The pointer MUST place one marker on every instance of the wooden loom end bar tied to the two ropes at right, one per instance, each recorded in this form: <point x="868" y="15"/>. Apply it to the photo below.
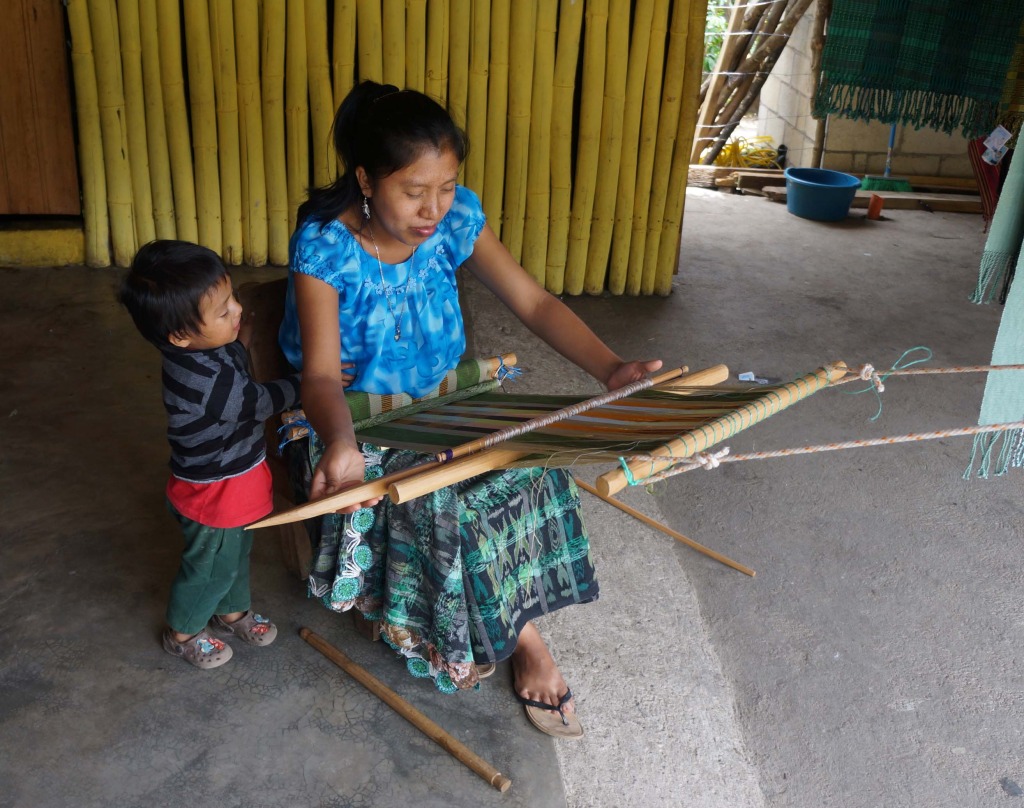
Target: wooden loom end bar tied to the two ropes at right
<point x="717" y="431"/>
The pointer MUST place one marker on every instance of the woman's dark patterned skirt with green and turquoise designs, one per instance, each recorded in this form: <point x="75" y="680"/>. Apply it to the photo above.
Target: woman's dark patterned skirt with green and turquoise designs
<point x="453" y="576"/>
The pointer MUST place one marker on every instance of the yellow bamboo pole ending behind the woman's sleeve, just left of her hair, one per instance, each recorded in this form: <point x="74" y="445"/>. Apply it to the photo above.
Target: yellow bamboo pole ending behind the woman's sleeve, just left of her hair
<point x="296" y="109"/>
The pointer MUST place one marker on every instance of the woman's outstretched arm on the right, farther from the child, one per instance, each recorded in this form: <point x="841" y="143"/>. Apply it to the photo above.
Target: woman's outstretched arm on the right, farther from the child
<point x="548" y="318"/>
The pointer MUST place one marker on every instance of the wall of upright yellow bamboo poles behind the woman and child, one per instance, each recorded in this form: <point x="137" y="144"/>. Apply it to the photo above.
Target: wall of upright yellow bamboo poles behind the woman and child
<point x="209" y="119"/>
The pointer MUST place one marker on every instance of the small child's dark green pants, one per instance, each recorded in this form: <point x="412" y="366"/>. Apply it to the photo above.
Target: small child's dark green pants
<point x="214" y="578"/>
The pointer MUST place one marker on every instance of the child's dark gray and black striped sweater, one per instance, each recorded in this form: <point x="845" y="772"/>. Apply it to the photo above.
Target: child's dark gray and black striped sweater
<point x="216" y="412"/>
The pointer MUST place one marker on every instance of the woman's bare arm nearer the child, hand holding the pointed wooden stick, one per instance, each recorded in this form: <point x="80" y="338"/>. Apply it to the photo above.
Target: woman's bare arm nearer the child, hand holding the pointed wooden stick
<point x="324" y="391"/>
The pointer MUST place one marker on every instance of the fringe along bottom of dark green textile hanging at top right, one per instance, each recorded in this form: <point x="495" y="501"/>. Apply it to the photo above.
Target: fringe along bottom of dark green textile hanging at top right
<point x="910" y="108"/>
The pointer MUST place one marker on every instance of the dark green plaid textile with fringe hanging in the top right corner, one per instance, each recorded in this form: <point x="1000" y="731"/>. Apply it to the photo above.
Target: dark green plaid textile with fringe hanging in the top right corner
<point x="938" y="64"/>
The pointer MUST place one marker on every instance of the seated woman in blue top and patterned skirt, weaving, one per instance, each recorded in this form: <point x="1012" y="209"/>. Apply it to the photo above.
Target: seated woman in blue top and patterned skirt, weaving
<point x="456" y="578"/>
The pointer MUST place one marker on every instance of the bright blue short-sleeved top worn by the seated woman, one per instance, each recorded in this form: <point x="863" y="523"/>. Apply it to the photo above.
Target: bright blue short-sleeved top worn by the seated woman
<point x="421" y="293"/>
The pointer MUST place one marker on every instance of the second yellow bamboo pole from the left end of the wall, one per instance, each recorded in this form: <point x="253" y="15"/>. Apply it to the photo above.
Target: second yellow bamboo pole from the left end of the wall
<point x="103" y="21"/>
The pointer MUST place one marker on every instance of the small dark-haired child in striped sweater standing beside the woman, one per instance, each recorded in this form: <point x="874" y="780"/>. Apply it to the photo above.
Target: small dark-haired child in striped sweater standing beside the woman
<point x="182" y="301"/>
